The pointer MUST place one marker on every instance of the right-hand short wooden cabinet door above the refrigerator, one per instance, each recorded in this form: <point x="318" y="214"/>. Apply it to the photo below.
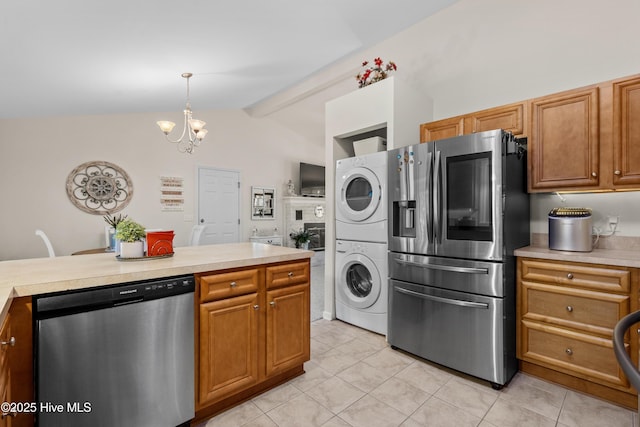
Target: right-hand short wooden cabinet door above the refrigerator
<point x="508" y="117"/>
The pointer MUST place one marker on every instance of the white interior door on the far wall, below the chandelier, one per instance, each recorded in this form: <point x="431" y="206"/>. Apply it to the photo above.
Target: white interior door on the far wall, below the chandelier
<point x="219" y="205"/>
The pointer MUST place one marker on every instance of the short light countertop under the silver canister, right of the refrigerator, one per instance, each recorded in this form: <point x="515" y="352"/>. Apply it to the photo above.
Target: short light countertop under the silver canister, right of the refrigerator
<point x="622" y="258"/>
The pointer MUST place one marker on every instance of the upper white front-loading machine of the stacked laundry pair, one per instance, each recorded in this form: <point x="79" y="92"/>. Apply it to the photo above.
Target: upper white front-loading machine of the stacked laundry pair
<point x="361" y="198"/>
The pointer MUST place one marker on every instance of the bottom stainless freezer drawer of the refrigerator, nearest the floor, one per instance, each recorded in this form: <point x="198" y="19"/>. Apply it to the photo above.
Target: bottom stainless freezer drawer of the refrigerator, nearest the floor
<point x="462" y="331"/>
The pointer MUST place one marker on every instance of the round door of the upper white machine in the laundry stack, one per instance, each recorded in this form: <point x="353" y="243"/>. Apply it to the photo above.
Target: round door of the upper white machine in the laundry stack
<point x="360" y="195"/>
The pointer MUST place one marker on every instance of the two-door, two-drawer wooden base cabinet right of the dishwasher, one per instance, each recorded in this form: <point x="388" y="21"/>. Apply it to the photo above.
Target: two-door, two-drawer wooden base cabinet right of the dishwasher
<point x="253" y="331"/>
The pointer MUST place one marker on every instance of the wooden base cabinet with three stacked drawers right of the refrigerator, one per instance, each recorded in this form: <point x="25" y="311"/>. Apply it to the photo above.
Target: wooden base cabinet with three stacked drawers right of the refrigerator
<point x="566" y="315"/>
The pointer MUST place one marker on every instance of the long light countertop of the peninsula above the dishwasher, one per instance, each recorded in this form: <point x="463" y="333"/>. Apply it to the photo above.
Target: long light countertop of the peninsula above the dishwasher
<point x="43" y="275"/>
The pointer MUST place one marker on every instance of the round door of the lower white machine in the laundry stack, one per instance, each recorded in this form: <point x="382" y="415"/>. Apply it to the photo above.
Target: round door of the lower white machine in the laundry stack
<point x="360" y="283"/>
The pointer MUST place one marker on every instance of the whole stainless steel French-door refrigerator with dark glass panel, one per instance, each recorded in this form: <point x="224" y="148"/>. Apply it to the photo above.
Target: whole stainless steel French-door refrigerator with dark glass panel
<point x="457" y="209"/>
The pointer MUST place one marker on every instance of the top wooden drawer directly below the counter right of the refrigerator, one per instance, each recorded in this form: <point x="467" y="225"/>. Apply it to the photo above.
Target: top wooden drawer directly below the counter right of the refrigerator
<point x="608" y="279"/>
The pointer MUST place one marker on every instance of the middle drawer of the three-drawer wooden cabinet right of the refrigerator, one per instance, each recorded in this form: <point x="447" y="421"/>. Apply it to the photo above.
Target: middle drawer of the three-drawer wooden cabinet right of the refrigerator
<point x="593" y="312"/>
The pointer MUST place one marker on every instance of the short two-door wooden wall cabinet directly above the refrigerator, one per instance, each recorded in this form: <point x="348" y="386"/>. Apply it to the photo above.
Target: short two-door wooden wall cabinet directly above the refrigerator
<point x="508" y="117"/>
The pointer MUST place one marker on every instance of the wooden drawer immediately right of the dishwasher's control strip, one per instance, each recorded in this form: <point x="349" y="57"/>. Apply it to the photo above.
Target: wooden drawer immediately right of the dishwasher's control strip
<point x="225" y="285"/>
